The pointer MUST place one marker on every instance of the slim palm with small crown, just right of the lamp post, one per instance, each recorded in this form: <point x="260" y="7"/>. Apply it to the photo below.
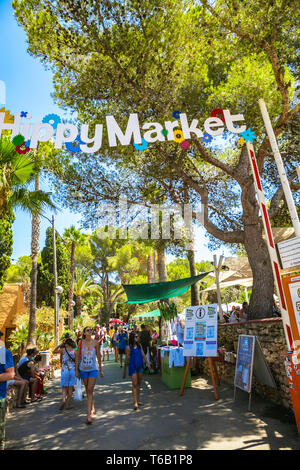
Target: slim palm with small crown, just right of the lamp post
<point x="72" y="237"/>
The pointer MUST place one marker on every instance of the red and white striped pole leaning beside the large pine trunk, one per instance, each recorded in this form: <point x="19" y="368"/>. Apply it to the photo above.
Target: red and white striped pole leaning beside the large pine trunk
<point x="271" y="248"/>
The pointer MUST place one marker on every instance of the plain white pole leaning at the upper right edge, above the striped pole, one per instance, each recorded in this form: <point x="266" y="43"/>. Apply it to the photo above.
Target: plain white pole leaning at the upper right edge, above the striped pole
<point x="282" y="174"/>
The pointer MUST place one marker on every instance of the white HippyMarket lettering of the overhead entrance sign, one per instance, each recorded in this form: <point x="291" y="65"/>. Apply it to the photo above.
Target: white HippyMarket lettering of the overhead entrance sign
<point x="67" y="132"/>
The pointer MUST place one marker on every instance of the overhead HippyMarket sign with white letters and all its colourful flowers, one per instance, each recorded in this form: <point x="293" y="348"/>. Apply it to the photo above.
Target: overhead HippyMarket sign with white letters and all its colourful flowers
<point x="136" y="134"/>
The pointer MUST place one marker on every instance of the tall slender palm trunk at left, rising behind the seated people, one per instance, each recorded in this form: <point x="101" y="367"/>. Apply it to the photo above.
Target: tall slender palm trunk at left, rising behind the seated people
<point x="35" y="236"/>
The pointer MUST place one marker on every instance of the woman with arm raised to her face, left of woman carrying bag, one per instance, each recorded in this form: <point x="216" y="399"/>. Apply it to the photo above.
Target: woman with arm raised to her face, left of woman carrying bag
<point x="68" y="377"/>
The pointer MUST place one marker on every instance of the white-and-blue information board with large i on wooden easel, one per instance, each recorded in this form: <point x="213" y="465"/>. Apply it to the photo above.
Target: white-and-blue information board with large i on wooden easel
<point x="201" y="331"/>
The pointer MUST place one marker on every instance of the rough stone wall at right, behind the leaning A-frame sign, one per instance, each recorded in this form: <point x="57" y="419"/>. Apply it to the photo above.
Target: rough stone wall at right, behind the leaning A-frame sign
<point x="272" y="340"/>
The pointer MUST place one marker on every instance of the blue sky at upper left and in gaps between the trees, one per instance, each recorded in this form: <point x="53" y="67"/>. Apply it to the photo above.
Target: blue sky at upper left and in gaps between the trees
<point x="28" y="88"/>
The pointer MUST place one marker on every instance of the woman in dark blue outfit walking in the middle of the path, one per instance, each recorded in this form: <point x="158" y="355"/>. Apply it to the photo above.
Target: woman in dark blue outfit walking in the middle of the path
<point x="135" y="358"/>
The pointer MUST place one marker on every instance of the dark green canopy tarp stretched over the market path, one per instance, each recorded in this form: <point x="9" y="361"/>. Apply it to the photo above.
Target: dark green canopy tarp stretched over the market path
<point x="142" y="293"/>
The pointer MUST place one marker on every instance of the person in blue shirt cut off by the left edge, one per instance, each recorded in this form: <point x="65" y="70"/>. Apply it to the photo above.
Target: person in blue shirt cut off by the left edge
<point x="7" y="372"/>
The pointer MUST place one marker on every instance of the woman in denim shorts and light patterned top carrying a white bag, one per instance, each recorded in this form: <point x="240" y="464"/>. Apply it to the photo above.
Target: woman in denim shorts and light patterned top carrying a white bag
<point x="87" y="369"/>
